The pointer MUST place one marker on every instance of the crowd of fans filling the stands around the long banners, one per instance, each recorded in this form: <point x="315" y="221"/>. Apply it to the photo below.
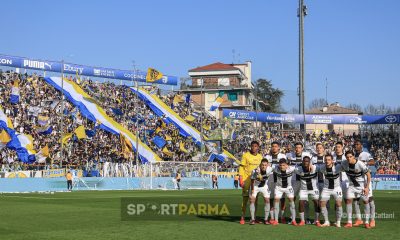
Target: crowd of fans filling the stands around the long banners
<point x="38" y="99"/>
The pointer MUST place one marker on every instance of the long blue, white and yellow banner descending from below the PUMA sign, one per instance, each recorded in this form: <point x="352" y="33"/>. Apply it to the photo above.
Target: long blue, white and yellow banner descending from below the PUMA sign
<point x="89" y="109"/>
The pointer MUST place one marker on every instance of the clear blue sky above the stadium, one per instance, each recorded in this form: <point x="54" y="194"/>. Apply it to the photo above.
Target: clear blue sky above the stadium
<point x="353" y="44"/>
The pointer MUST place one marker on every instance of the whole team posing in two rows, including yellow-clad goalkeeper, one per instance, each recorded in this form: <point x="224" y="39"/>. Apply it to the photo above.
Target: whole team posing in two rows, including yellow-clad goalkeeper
<point x="300" y="174"/>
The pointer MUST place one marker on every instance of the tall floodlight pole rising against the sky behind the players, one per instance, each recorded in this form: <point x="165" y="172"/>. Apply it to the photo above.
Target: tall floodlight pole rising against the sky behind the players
<point x="301" y="12"/>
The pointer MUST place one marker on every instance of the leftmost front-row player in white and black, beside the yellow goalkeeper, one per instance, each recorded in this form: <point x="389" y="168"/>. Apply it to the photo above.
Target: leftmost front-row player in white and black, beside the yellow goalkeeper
<point x="259" y="179"/>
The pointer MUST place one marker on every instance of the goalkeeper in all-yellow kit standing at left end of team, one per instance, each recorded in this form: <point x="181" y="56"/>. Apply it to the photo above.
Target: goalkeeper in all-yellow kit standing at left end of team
<point x="250" y="161"/>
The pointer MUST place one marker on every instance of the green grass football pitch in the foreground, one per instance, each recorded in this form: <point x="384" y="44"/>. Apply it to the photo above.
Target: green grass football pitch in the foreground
<point x="97" y="215"/>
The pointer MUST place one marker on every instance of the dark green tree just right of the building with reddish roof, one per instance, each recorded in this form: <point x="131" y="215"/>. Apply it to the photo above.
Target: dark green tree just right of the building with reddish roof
<point x="267" y="97"/>
